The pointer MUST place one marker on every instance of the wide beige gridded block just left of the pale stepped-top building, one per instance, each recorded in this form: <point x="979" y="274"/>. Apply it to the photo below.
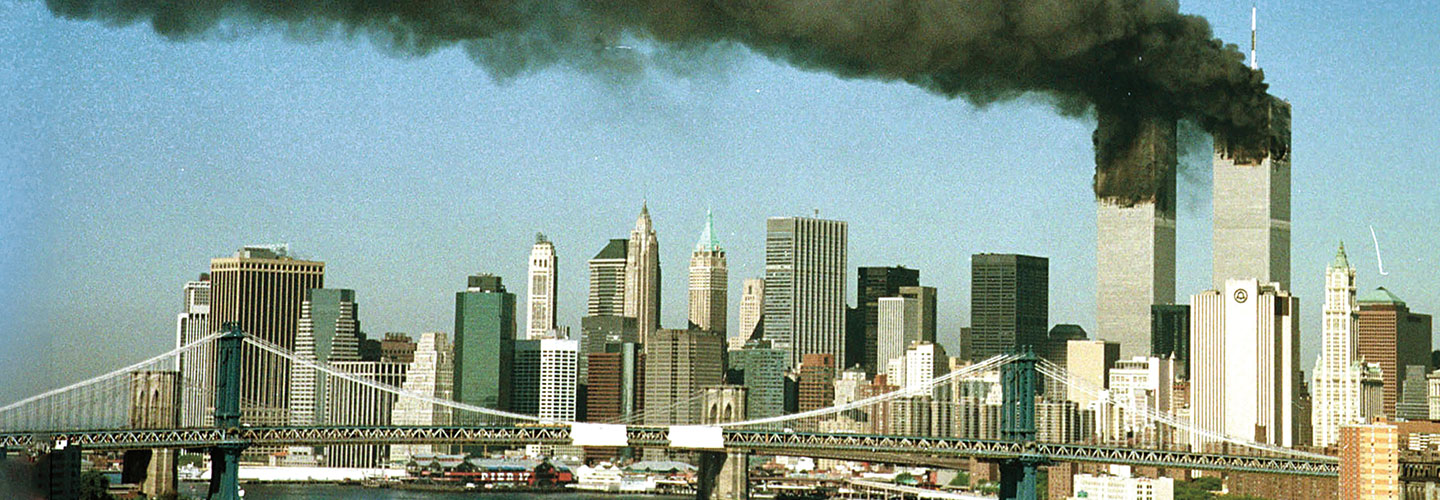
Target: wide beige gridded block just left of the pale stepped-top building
<point x="354" y="404"/>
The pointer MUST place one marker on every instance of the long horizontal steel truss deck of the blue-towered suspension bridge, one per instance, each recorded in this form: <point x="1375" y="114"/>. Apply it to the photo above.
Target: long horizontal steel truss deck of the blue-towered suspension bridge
<point x="860" y="447"/>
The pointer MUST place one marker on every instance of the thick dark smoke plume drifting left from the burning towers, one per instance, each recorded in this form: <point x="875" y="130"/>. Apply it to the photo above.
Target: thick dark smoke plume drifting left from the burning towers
<point x="1127" y="58"/>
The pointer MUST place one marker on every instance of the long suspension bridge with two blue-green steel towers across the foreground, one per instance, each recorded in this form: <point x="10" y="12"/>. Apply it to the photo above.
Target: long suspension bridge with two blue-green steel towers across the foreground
<point x="994" y="410"/>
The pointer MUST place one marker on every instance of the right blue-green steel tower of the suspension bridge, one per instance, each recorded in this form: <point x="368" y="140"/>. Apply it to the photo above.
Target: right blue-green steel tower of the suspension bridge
<point x="1020" y="478"/>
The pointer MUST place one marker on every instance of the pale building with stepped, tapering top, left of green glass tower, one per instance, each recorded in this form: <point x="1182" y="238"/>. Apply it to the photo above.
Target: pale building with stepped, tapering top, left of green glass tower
<point x="431" y="375"/>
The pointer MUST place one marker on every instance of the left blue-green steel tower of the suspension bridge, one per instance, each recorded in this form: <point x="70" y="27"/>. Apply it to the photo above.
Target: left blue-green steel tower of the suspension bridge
<point x="225" y="482"/>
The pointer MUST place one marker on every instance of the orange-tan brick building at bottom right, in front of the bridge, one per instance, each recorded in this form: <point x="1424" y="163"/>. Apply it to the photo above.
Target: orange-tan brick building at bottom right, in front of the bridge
<point x="1370" y="462"/>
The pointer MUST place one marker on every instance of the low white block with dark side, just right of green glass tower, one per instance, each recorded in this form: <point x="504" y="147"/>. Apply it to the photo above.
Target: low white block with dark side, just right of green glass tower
<point x="544" y="381"/>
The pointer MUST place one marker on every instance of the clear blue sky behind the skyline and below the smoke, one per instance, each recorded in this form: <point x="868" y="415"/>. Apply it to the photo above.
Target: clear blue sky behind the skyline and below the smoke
<point x="127" y="162"/>
